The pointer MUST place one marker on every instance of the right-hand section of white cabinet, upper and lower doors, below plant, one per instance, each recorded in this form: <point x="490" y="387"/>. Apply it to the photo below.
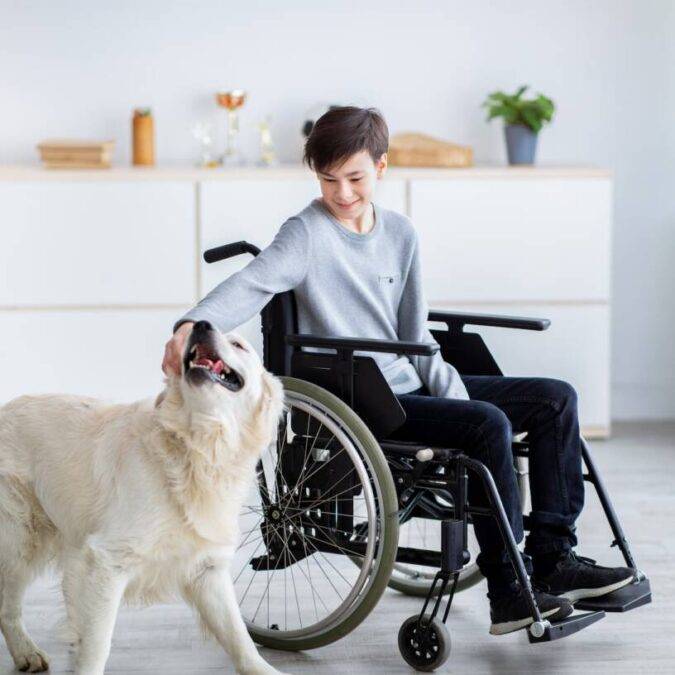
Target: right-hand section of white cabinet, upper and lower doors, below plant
<point x="527" y="246"/>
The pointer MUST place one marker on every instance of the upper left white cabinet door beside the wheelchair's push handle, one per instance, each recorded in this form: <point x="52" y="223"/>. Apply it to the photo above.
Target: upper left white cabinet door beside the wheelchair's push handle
<point x="97" y="243"/>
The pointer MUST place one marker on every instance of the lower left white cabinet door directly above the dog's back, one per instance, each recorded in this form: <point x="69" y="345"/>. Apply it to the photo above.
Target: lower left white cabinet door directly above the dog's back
<point x="115" y="355"/>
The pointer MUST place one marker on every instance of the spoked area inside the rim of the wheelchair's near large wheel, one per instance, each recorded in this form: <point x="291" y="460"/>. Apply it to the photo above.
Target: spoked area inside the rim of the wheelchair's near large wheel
<point x="301" y="534"/>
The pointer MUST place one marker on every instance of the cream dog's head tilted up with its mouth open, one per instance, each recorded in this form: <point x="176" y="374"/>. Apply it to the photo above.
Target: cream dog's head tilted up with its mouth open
<point x="223" y="380"/>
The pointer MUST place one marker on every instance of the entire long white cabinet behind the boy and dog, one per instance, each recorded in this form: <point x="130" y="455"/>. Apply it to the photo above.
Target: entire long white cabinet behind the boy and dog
<point x="95" y="267"/>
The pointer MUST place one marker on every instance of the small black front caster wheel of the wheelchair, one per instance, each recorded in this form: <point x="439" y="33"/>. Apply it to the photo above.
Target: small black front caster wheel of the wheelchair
<point x="424" y="645"/>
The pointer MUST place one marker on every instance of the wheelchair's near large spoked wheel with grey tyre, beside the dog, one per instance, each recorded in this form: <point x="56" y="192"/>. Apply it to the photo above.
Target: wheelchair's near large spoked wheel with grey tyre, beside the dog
<point x="324" y="498"/>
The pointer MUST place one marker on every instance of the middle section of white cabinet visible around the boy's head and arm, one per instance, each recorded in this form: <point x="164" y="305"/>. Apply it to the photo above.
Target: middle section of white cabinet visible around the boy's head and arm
<point x="254" y="210"/>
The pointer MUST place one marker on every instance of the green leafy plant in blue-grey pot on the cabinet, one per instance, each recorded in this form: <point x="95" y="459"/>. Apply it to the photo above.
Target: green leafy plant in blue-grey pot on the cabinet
<point x="523" y="119"/>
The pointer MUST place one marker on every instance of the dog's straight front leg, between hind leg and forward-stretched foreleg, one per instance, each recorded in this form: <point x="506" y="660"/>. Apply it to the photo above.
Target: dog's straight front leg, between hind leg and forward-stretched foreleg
<point x="100" y="592"/>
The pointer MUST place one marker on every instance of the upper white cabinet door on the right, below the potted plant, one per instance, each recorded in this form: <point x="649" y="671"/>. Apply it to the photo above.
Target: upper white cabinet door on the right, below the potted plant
<point x="515" y="239"/>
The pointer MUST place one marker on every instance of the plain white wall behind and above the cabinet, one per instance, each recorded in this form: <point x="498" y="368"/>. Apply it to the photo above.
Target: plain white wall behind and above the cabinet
<point x="78" y="68"/>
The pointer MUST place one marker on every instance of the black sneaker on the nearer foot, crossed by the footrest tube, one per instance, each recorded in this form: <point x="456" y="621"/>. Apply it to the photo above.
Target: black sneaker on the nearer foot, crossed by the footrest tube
<point x="512" y="612"/>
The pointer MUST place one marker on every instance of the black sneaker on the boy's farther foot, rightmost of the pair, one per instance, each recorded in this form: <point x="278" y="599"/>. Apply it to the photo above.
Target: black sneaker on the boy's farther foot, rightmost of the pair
<point x="575" y="578"/>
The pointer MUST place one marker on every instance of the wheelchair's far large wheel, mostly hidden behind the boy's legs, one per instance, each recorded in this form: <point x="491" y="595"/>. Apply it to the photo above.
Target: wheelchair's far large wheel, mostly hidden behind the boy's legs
<point x="425" y="533"/>
